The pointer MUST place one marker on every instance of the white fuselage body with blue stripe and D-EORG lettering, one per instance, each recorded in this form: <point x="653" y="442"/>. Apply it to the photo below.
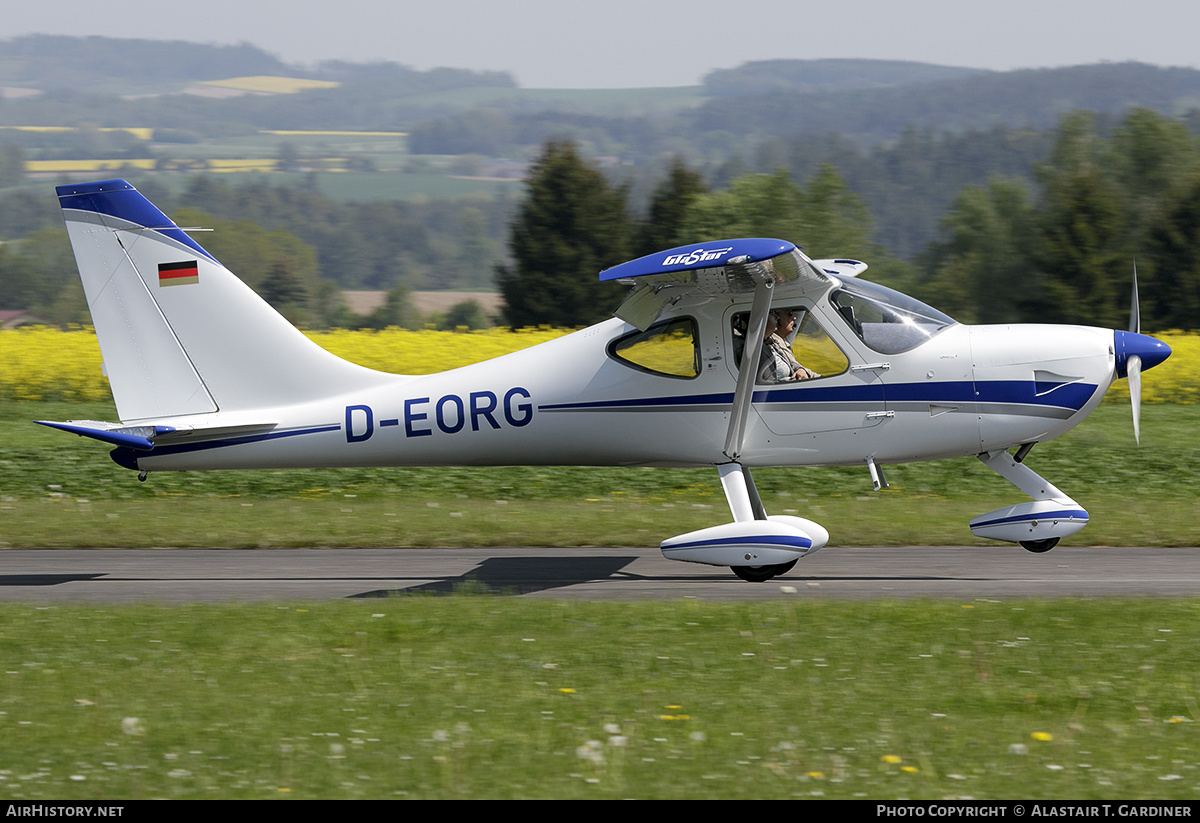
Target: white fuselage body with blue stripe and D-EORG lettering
<point x="967" y="391"/>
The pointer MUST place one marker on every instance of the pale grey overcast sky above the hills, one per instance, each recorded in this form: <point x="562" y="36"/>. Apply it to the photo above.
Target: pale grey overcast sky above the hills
<point x="625" y="44"/>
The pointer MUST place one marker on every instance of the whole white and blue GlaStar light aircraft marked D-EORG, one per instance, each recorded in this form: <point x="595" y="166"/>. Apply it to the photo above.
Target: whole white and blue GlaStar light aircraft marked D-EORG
<point x="734" y="355"/>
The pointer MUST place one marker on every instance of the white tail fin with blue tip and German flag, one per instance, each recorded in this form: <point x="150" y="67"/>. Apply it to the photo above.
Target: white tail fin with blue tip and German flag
<point x="178" y="332"/>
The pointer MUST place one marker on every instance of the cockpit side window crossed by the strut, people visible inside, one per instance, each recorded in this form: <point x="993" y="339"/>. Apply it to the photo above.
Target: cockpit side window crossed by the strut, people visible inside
<point x="802" y="351"/>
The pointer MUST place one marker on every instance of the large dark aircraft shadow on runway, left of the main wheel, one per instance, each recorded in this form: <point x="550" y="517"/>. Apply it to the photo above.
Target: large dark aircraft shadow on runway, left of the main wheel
<point x="518" y="575"/>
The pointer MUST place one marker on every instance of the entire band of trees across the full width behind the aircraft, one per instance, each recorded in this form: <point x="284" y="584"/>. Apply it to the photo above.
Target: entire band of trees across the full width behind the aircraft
<point x="1059" y="245"/>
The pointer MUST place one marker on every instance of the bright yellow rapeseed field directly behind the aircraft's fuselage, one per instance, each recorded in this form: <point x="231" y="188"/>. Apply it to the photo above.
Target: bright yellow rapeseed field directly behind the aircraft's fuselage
<point x="39" y="363"/>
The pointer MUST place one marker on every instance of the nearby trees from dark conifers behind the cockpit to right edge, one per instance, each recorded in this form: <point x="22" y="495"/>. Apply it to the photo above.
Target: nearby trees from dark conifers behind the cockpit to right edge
<point x="1060" y="248"/>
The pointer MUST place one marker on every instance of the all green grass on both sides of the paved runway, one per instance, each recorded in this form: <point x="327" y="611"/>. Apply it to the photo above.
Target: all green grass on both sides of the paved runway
<point x="481" y="696"/>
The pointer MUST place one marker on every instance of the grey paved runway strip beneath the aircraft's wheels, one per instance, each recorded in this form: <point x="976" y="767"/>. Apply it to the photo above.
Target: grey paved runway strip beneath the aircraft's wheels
<point x="179" y="576"/>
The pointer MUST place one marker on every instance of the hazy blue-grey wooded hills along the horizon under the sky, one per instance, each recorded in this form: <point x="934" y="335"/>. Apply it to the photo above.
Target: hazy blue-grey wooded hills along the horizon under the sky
<point x="454" y="111"/>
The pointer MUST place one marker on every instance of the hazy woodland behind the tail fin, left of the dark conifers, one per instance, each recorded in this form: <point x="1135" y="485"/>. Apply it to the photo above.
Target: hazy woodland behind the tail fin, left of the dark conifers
<point x="295" y="245"/>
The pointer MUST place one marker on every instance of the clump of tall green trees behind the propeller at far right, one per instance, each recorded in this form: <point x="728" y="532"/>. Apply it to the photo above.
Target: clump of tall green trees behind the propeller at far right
<point x="1063" y="249"/>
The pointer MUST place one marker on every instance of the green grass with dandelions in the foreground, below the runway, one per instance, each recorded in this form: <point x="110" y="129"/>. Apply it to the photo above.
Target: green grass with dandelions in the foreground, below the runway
<point x="493" y="698"/>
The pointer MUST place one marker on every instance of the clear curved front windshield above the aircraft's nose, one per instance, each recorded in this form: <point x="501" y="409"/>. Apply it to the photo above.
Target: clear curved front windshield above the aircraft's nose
<point x="885" y="320"/>
